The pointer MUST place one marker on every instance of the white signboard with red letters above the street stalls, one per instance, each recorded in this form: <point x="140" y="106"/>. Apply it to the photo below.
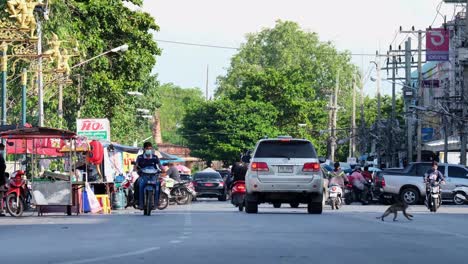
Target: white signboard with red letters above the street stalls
<point x="98" y="129"/>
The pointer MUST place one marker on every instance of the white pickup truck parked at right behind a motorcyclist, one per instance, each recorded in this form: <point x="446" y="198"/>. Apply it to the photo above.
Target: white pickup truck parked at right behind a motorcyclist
<point x="407" y="183"/>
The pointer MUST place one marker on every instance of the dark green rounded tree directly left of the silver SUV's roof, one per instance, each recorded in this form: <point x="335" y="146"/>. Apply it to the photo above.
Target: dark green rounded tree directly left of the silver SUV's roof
<point x="222" y="129"/>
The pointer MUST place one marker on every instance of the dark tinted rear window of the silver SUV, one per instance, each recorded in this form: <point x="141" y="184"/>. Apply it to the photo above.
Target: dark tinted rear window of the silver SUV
<point x="285" y="149"/>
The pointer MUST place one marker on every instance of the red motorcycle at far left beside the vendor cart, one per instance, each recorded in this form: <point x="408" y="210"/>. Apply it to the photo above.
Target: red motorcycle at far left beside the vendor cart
<point x="18" y="197"/>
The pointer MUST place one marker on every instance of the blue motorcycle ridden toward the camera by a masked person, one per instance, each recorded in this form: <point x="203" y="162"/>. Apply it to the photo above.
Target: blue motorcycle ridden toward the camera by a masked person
<point x="150" y="190"/>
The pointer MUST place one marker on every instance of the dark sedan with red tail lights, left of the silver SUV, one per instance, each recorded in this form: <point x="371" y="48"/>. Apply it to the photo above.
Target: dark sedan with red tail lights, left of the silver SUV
<point x="210" y="184"/>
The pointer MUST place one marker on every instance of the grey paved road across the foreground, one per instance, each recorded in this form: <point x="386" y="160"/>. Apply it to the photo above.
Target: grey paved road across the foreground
<point x="214" y="232"/>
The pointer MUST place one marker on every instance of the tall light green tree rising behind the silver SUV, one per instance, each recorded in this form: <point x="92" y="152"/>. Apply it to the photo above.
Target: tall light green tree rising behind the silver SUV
<point x="294" y="71"/>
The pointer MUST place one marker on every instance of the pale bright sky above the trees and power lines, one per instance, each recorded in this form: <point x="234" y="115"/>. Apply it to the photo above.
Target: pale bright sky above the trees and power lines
<point x="361" y="26"/>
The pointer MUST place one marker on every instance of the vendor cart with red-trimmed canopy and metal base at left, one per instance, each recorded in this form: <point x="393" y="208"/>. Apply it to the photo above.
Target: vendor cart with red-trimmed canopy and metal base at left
<point x="48" y="170"/>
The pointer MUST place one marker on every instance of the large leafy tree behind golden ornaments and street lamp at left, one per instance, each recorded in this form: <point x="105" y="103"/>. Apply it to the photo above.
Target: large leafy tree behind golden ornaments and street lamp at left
<point x="98" y="26"/>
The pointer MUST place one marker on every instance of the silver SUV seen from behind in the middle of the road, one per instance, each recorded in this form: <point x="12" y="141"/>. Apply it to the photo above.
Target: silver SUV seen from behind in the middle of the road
<point x="284" y="170"/>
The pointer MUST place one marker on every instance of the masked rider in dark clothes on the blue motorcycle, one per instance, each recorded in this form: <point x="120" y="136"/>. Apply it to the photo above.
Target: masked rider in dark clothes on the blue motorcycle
<point x="147" y="159"/>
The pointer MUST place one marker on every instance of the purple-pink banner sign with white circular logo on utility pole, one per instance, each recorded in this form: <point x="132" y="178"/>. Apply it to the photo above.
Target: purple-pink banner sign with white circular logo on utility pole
<point x="437" y="44"/>
